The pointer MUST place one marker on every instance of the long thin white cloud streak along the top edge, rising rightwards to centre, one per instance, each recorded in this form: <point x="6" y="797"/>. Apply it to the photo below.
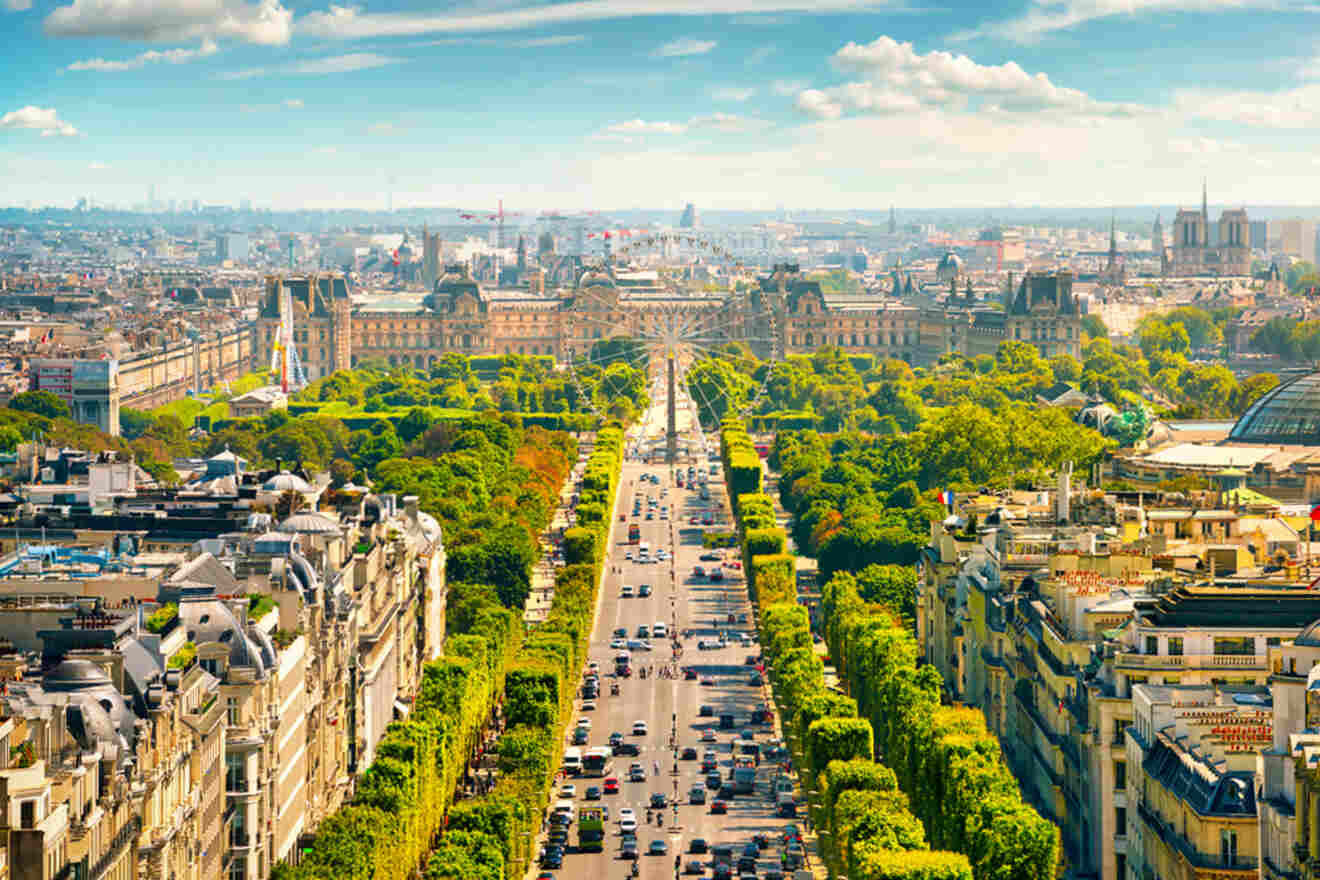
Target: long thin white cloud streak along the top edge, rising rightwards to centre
<point x="348" y="23"/>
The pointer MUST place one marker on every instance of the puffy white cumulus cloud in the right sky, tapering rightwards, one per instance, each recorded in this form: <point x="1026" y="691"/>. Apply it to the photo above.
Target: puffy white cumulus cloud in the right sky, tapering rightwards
<point x="898" y="80"/>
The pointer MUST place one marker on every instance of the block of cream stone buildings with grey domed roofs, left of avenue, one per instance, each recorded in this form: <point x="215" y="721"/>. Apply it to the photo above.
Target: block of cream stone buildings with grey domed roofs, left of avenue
<point x="249" y="677"/>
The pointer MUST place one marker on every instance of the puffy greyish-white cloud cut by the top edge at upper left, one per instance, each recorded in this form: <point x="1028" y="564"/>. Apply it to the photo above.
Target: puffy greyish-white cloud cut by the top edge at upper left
<point x="265" y="23"/>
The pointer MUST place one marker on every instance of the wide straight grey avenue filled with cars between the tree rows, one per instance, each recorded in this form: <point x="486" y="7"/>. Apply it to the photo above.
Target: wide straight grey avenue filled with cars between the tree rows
<point x="671" y="707"/>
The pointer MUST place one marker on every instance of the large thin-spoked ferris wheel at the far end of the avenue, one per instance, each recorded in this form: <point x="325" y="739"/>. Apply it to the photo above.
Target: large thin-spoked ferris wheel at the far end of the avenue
<point x="723" y="340"/>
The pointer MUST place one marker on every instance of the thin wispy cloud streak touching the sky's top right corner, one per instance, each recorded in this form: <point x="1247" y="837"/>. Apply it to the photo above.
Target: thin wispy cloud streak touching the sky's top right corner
<point x="1050" y="16"/>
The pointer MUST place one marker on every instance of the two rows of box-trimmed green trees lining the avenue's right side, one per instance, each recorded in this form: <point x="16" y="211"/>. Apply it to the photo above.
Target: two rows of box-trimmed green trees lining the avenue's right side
<point x="901" y="788"/>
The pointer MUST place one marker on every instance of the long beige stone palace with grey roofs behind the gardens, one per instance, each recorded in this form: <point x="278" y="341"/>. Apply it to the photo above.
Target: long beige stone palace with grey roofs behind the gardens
<point x="787" y="312"/>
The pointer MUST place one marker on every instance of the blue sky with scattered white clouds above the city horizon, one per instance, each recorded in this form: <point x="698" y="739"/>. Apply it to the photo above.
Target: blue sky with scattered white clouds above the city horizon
<point x="610" y="105"/>
